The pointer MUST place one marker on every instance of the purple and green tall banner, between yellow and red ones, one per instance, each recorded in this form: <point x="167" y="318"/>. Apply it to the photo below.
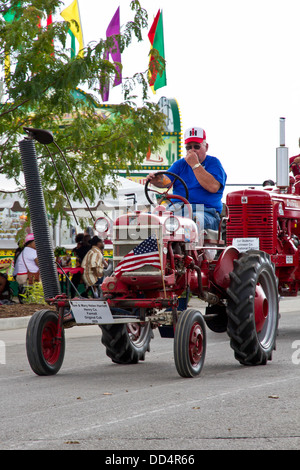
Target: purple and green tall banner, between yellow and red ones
<point x="112" y="30"/>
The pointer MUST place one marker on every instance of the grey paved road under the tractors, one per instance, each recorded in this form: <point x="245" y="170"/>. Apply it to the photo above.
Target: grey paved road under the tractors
<point x="95" y="404"/>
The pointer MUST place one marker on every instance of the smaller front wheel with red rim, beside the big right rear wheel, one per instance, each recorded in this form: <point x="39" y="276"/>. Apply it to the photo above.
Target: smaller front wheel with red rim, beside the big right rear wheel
<point x="190" y="343"/>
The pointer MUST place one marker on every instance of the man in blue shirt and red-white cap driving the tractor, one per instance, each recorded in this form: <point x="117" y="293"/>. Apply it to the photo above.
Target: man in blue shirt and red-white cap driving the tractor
<point x="203" y="175"/>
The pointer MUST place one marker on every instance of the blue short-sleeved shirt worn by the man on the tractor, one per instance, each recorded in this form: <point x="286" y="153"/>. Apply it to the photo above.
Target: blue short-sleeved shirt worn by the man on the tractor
<point x="197" y="194"/>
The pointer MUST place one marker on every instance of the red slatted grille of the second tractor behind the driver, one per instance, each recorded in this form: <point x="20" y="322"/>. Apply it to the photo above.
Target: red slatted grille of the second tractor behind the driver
<point x="251" y="221"/>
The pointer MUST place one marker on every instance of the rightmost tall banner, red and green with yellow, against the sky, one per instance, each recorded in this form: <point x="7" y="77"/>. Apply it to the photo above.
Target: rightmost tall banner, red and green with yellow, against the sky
<point x="156" y="38"/>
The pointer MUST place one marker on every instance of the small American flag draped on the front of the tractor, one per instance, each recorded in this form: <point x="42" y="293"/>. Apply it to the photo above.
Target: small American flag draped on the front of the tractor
<point x="144" y="253"/>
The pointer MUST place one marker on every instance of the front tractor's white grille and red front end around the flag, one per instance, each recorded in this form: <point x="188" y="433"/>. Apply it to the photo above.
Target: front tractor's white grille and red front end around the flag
<point x="176" y="239"/>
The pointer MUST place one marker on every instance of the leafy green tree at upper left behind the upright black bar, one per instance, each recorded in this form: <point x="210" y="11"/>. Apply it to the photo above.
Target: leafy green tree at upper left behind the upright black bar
<point x="39" y="92"/>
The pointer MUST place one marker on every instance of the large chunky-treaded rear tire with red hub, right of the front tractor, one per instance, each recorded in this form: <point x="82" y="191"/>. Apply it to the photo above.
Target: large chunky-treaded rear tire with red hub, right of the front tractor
<point x="253" y="308"/>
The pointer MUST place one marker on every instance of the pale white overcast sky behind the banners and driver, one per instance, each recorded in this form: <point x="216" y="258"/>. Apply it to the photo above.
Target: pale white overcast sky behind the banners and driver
<point x="233" y="67"/>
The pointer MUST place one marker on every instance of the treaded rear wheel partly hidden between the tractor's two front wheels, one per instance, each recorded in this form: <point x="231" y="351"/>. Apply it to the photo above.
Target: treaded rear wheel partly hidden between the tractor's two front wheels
<point x="127" y="343"/>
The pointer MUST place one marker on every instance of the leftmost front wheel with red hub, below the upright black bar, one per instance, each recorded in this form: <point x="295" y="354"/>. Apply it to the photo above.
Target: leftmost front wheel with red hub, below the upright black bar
<point x="45" y="352"/>
